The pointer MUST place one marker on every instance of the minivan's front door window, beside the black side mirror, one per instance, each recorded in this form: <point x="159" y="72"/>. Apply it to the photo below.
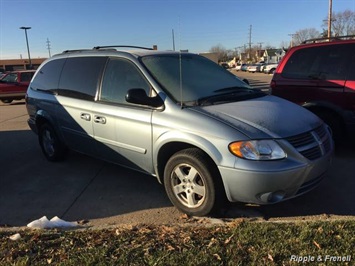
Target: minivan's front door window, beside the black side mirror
<point x="120" y="76"/>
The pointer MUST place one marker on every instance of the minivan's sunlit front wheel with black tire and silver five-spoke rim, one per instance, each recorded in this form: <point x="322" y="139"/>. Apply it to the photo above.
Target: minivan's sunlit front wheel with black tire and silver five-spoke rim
<point x="195" y="193"/>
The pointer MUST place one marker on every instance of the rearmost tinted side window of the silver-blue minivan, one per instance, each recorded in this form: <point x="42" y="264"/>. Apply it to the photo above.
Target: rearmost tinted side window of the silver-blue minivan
<point x="47" y="78"/>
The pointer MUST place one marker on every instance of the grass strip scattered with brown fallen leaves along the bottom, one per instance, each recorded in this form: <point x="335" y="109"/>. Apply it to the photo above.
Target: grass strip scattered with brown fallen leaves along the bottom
<point x="235" y="243"/>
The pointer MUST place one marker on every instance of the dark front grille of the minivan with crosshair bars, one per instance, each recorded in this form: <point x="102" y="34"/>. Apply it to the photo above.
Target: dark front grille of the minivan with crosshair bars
<point x="313" y="144"/>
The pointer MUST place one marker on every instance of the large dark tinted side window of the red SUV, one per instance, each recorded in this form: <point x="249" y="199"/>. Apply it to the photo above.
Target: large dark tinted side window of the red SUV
<point x="322" y="62"/>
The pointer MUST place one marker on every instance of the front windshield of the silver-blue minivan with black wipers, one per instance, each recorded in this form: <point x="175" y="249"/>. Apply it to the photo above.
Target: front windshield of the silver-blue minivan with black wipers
<point x="191" y="79"/>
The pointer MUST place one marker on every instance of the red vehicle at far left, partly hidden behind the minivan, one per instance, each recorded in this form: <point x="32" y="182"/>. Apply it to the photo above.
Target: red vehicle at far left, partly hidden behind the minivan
<point x="13" y="85"/>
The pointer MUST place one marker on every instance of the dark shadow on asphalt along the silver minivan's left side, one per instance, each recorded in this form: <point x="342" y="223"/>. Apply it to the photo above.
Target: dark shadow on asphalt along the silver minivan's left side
<point x="78" y="188"/>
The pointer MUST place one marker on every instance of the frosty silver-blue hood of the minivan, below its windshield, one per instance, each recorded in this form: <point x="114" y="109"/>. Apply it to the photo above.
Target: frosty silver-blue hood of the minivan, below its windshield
<point x="264" y="117"/>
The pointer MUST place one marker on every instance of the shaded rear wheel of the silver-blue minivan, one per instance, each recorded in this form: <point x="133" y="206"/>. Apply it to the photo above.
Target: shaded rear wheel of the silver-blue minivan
<point x="51" y="145"/>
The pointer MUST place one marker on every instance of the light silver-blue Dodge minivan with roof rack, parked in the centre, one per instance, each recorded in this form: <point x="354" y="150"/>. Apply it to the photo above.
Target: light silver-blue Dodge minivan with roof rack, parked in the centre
<point x="201" y="131"/>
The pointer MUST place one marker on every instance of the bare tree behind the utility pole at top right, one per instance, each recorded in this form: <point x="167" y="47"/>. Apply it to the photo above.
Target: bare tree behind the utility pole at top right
<point x="343" y="23"/>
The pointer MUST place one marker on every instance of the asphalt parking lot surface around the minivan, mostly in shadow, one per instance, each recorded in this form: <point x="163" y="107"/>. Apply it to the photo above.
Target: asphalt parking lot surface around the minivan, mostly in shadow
<point x="83" y="188"/>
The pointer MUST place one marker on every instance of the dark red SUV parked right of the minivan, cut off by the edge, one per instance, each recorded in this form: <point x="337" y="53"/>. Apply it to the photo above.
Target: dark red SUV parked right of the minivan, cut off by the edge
<point x="320" y="75"/>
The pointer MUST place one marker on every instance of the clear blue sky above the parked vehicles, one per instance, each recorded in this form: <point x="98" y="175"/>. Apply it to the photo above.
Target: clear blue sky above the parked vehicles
<point x="195" y="25"/>
